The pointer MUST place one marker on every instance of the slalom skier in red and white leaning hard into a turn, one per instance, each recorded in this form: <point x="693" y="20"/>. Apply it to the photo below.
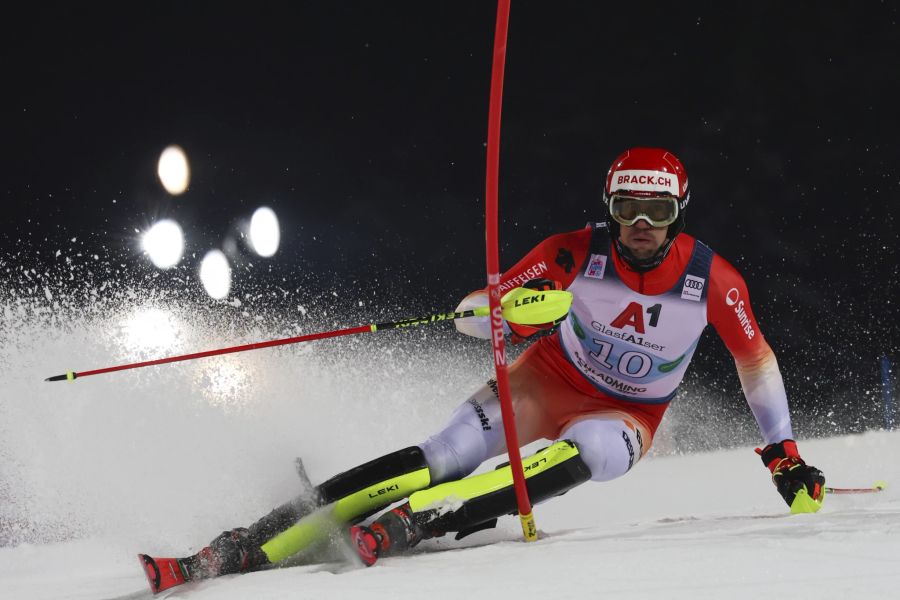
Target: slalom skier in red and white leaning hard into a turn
<point x="598" y="383"/>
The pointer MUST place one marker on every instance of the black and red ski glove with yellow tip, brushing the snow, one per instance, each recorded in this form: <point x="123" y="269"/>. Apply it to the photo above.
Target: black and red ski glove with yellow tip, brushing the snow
<point x="801" y="486"/>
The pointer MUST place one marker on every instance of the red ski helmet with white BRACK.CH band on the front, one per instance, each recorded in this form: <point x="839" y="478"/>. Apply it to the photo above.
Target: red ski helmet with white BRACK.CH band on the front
<point x="647" y="172"/>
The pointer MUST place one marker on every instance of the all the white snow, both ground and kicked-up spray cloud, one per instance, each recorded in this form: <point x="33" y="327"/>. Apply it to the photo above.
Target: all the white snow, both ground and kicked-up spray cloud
<point x="162" y="459"/>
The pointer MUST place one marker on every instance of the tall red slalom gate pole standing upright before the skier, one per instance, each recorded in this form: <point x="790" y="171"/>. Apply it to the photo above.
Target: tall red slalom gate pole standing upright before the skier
<point x="493" y="271"/>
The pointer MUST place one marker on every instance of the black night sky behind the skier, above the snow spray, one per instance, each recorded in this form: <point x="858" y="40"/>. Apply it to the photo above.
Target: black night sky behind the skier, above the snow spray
<point x="363" y="125"/>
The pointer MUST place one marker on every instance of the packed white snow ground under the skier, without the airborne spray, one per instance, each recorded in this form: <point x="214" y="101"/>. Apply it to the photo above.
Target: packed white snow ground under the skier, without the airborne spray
<point x="699" y="526"/>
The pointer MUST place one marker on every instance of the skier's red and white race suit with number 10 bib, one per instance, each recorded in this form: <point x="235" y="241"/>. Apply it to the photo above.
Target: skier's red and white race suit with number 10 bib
<point x="616" y="362"/>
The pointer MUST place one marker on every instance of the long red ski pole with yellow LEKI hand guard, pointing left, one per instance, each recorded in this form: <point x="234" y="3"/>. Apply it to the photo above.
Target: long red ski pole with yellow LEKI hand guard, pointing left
<point x="519" y="305"/>
